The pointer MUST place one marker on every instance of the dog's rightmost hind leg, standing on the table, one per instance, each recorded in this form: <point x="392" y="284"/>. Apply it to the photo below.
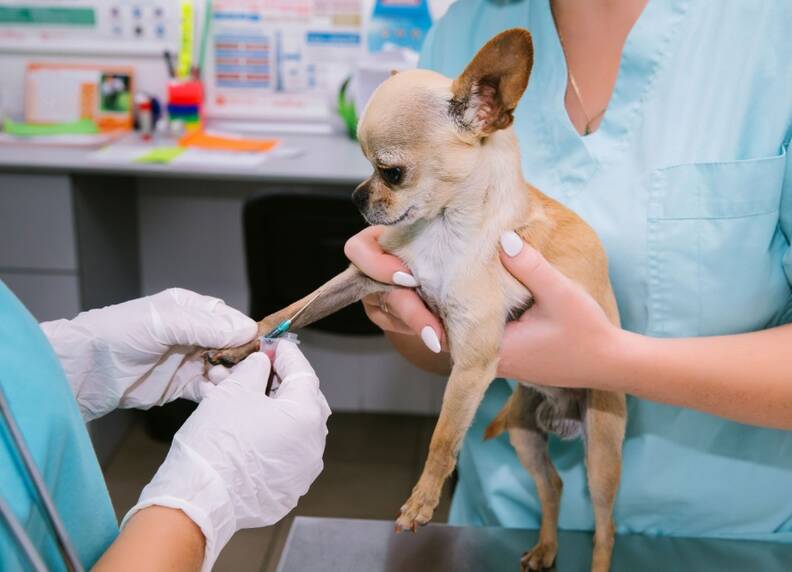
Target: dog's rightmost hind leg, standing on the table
<point x="606" y="417"/>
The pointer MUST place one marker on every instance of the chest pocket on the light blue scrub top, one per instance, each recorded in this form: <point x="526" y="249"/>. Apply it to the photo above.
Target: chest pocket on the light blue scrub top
<point x="715" y="248"/>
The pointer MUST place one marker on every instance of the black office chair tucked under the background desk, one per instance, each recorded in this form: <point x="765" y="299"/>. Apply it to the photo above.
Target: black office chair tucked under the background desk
<point x="294" y="243"/>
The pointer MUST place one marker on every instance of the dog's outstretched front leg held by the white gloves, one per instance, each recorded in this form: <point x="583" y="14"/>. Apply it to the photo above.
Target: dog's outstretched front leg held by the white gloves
<point x="340" y="291"/>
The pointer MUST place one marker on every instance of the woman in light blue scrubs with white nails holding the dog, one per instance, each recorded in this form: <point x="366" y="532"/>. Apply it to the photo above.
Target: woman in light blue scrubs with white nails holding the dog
<point x="666" y="126"/>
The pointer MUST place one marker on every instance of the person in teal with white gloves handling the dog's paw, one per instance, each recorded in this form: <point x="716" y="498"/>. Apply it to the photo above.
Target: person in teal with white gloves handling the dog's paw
<point x="241" y="460"/>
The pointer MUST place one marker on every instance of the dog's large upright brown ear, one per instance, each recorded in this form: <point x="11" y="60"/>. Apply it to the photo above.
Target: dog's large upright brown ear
<point x="485" y="95"/>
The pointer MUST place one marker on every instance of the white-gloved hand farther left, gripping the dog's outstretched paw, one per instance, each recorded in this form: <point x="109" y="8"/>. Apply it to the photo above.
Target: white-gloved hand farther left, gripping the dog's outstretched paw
<point x="143" y="352"/>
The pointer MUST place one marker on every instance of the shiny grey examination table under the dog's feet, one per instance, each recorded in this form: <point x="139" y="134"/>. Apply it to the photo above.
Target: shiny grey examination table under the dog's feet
<point x="343" y="545"/>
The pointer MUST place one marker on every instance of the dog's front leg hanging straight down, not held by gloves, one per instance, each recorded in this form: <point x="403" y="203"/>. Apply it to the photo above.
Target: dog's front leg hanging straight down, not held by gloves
<point x="475" y="356"/>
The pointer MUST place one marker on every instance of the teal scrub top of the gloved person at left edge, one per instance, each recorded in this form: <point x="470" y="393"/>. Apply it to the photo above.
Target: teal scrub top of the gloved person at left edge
<point x="46" y="412"/>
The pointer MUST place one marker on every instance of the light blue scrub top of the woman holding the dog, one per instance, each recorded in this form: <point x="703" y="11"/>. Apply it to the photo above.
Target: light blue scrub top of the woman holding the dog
<point x="687" y="183"/>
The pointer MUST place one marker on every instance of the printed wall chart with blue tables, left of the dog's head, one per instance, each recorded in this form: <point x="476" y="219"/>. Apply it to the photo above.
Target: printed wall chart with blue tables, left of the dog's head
<point x="280" y="59"/>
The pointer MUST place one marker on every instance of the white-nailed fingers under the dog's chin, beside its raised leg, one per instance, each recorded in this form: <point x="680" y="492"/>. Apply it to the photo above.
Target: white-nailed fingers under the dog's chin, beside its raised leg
<point x="400" y="310"/>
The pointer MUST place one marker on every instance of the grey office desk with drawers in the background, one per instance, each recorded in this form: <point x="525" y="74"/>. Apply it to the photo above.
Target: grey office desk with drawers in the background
<point x="70" y="221"/>
